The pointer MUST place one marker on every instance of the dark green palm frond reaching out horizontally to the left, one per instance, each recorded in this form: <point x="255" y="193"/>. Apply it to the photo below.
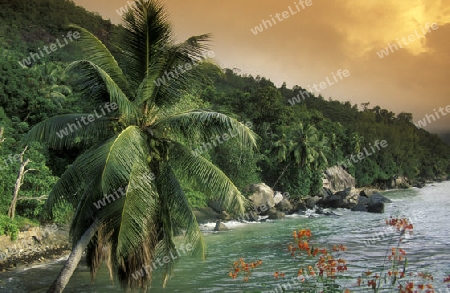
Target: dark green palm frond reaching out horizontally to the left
<point x="57" y="131"/>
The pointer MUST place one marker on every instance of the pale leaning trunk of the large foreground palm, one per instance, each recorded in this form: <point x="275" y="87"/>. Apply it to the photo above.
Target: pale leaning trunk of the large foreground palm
<point x="74" y="258"/>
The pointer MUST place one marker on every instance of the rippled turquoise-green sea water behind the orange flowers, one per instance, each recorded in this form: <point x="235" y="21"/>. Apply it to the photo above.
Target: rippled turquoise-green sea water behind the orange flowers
<point x="365" y="235"/>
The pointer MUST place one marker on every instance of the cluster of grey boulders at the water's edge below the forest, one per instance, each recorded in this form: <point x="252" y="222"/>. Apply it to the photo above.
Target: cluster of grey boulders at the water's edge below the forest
<point x="338" y="192"/>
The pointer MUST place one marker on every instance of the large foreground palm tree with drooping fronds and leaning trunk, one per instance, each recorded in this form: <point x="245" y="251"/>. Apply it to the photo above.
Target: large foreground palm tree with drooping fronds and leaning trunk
<point x="143" y="136"/>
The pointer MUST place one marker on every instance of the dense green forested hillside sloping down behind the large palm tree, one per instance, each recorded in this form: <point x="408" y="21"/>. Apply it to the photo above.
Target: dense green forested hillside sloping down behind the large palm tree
<point x="298" y="138"/>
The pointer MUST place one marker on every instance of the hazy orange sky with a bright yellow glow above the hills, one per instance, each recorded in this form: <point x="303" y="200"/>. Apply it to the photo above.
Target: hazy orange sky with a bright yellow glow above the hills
<point x="306" y="42"/>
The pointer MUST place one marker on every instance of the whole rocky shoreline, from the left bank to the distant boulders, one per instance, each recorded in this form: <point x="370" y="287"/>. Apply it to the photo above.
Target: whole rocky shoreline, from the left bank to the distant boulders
<point x="46" y="244"/>
